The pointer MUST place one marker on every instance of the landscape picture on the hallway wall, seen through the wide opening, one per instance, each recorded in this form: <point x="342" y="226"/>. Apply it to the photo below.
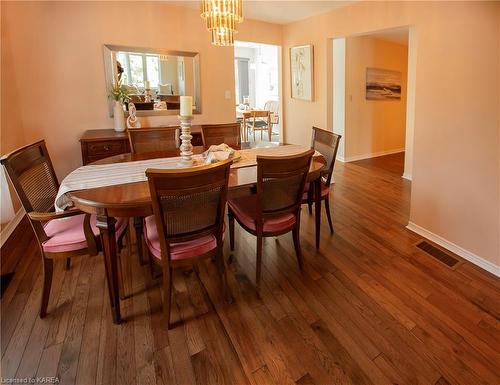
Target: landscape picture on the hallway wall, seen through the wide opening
<point x="383" y="84"/>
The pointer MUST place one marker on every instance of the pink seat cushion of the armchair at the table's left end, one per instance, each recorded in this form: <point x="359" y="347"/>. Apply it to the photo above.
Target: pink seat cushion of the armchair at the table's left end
<point x="67" y="234"/>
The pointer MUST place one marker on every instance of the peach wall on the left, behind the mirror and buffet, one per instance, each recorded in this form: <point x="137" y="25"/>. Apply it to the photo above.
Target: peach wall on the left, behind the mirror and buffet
<point x="53" y="84"/>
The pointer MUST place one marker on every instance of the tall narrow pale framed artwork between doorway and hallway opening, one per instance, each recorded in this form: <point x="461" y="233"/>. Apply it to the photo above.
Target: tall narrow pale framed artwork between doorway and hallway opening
<point x="301" y="72"/>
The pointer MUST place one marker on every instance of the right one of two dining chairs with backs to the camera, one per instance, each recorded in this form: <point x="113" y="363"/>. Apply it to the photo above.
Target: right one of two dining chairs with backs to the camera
<point x="275" y="208"/>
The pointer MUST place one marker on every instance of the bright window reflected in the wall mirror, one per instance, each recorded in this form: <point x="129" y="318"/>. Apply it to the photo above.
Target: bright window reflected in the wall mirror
<point x="137" y="68"/>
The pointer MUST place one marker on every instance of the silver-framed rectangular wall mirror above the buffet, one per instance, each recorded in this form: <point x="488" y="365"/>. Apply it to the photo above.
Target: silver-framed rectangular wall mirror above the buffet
<point x="155" y="79"/>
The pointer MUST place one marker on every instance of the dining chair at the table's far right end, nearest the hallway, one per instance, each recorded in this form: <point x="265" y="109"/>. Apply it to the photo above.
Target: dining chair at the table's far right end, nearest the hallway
<point x="327" y="144"/>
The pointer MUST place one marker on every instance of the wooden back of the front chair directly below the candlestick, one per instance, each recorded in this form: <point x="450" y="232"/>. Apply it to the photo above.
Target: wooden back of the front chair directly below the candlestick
<point x="189" y="203"/>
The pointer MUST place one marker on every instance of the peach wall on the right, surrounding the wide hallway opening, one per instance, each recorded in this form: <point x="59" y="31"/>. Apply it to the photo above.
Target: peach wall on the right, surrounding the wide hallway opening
<point x="455" y="188"/>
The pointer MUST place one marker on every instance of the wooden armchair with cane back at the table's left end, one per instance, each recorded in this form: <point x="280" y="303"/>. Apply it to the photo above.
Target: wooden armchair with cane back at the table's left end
<point x="60" y="235"/>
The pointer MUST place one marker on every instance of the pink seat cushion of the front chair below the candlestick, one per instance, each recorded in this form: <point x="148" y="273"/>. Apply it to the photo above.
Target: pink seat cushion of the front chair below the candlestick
<point x="178" y="251"/>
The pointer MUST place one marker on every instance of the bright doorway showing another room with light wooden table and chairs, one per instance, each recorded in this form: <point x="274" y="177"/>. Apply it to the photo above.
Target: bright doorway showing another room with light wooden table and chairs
<point x="257" y="69"/>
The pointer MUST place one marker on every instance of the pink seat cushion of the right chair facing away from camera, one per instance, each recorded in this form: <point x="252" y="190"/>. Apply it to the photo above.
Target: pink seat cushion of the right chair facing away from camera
<point x="245" y="209"/>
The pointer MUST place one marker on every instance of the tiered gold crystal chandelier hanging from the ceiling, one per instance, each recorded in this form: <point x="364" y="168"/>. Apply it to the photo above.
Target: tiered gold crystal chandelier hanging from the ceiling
<point x="221" y="17"/>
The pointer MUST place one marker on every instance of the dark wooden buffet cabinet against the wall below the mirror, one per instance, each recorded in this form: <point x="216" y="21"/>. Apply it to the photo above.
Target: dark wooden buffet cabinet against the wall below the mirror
<point x="99" y="144"/>
